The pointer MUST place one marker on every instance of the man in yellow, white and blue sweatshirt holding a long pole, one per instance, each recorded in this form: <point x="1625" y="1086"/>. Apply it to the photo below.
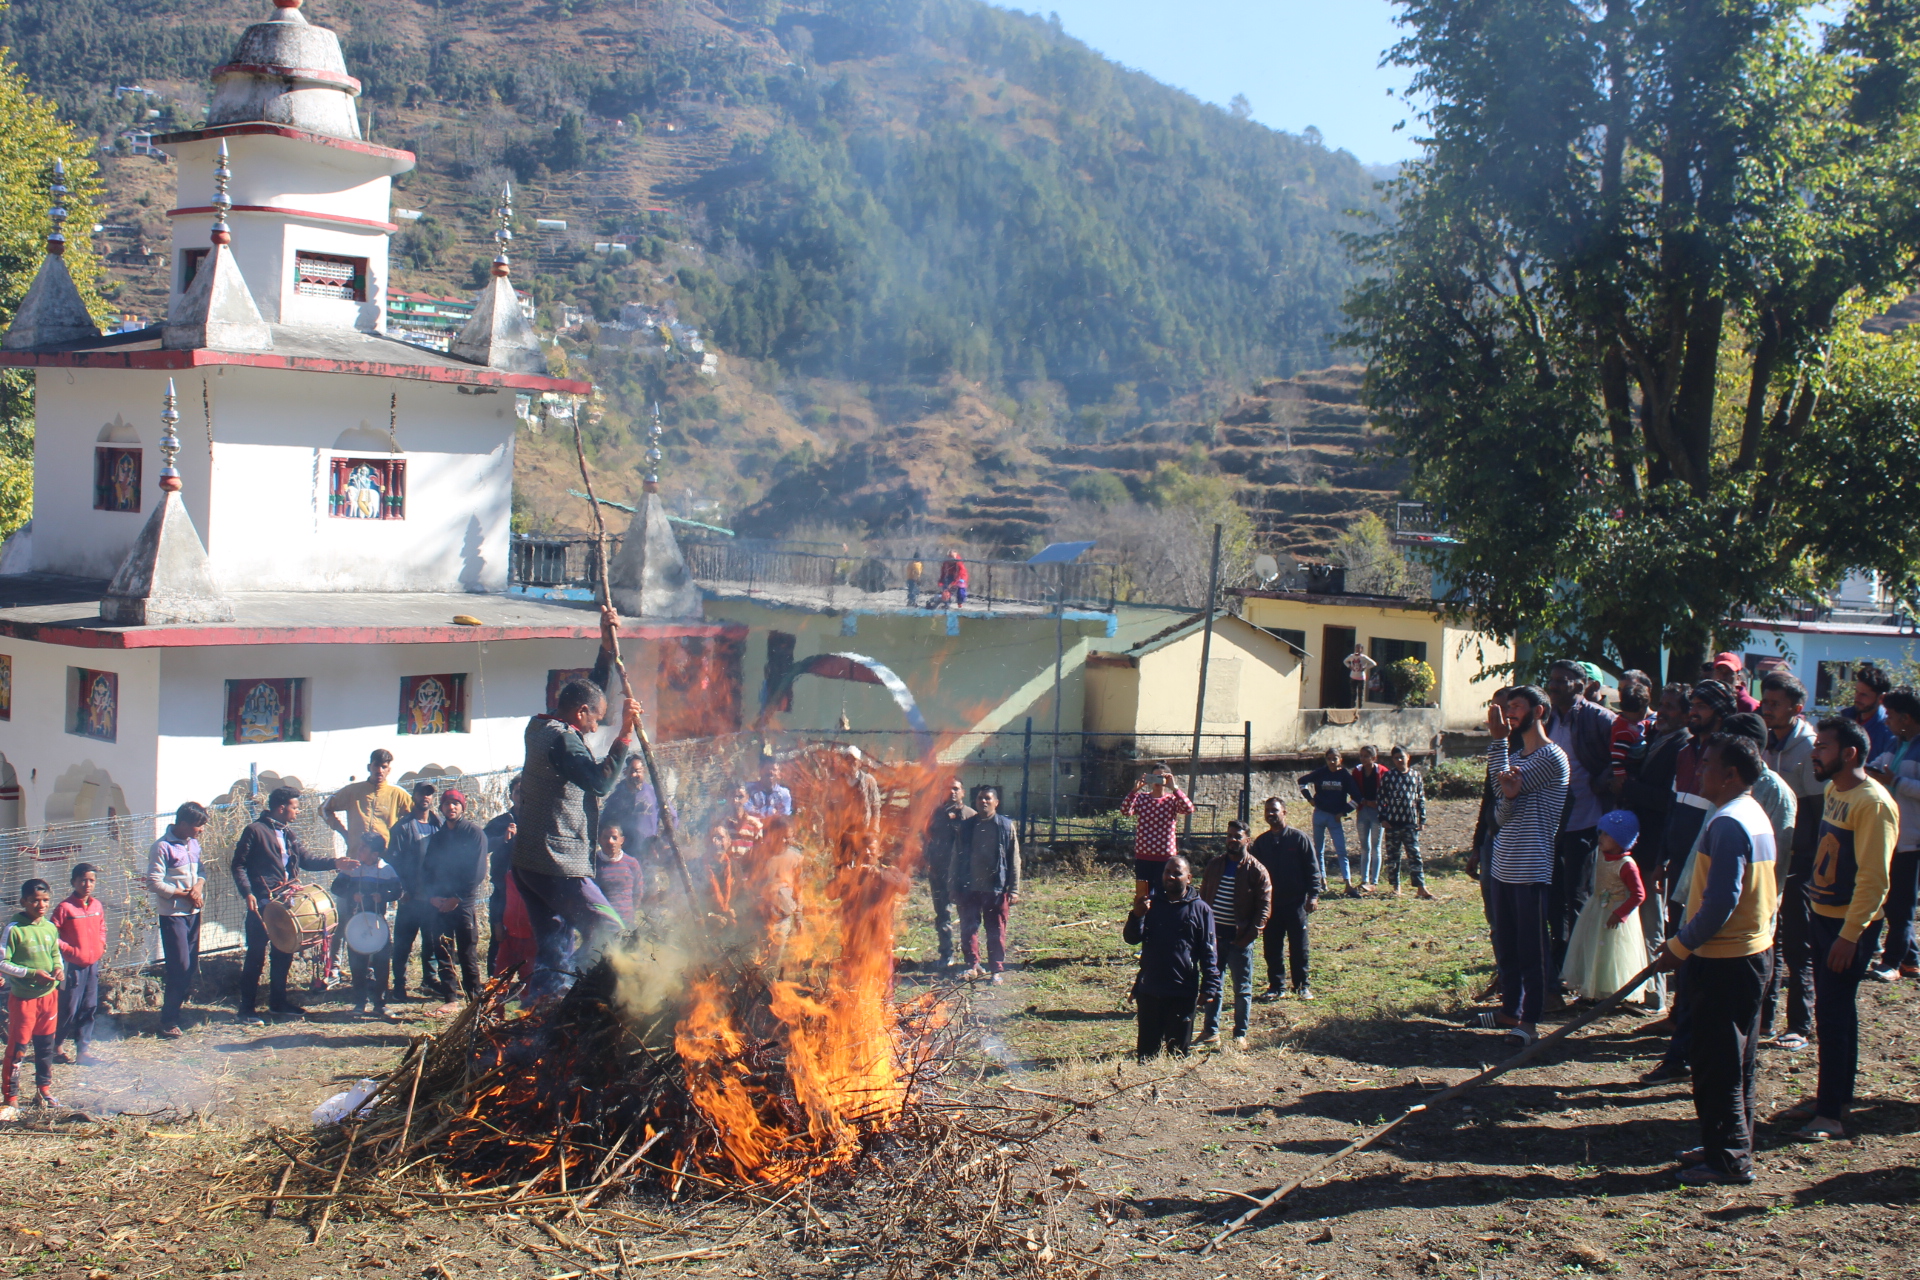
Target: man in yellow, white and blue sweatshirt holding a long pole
<point x="1725" y="943"/>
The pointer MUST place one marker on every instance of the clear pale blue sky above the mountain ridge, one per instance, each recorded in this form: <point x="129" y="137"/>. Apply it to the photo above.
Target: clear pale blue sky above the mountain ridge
<point x="1299" y="62"/>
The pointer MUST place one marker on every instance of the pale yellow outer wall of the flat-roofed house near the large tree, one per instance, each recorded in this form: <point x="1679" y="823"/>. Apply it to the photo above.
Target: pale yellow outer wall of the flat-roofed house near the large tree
<point x="1456" y="655"/>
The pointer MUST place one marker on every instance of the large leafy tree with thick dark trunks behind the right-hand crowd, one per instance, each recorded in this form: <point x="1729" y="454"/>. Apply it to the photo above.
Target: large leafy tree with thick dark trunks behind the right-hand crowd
<point x="1616" y="321"/>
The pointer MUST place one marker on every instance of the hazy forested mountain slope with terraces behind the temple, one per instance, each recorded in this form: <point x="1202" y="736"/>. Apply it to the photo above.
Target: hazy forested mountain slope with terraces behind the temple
<point x="913" y="229"/>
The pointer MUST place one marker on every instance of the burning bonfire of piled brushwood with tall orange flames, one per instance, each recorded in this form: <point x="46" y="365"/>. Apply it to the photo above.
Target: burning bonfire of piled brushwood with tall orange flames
<point x="709" y="1056"/>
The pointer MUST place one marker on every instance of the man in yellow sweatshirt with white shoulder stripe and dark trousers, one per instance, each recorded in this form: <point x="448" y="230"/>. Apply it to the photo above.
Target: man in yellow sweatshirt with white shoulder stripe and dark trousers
<point x="1860" y="826"/>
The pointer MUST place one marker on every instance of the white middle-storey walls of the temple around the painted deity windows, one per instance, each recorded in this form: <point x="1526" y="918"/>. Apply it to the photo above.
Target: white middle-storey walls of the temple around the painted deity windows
<point x="260" y="492"/>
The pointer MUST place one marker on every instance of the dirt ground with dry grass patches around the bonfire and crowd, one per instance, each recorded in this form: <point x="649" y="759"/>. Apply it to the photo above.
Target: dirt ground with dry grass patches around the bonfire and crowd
<point x="1562" y="1168"/>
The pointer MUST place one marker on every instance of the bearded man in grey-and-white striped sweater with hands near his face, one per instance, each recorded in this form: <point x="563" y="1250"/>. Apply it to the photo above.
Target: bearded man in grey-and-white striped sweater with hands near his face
<point x="1533" y="795"/>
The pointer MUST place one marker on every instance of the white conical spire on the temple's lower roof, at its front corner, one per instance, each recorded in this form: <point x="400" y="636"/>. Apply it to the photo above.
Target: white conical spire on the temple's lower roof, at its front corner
<point x="166" y="579"/>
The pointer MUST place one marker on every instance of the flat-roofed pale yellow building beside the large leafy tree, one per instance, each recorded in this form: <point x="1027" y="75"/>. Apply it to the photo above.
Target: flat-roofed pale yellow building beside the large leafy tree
<point x="1330" y="627"/>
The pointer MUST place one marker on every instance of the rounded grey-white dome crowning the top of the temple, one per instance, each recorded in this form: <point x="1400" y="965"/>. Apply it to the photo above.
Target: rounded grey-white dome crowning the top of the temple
<point x="287" y="72"/>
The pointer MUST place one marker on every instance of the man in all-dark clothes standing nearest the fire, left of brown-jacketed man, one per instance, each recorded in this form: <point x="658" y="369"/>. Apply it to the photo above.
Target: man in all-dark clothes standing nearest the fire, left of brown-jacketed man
<point x="1176" y="936"/>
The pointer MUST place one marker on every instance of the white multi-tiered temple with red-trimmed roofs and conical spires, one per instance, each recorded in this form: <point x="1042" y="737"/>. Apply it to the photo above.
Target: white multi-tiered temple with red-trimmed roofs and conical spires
<point x="256" y="523"/>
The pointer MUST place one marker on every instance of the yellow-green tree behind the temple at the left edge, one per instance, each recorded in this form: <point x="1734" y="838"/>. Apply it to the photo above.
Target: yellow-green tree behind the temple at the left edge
<point x="32" y="141"/>
